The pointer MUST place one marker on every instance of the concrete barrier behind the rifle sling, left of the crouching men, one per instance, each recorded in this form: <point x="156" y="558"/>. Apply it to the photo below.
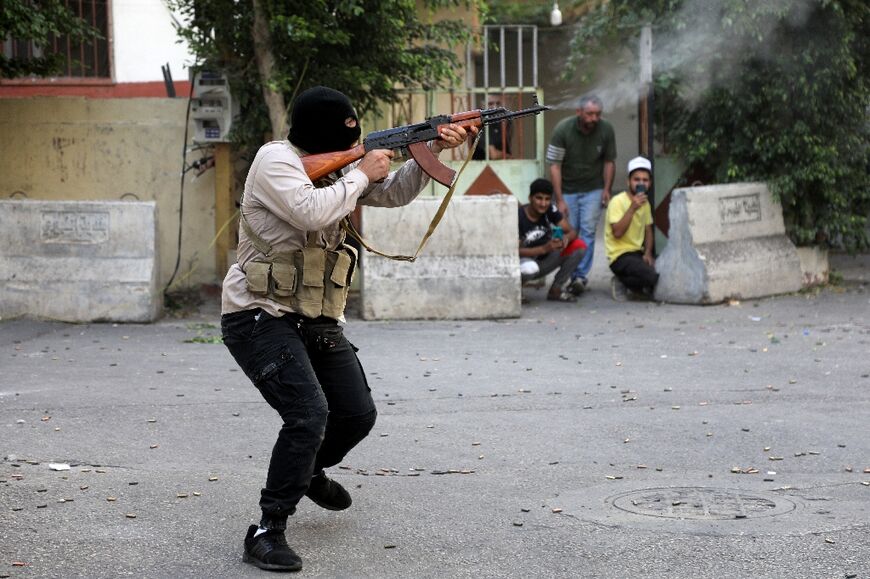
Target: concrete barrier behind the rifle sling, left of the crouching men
<point x="468" y="270"/>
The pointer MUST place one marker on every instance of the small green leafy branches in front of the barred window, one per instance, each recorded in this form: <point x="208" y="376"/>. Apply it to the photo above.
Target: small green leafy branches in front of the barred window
<point x="37" y="21"/>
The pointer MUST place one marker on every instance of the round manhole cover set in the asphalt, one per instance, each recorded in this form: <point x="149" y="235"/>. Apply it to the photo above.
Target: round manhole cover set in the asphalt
<point x="701" y="503"/>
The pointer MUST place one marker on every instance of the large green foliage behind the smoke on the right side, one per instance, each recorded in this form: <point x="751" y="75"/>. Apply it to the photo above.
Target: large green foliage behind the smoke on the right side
<point x="775" y="91"/>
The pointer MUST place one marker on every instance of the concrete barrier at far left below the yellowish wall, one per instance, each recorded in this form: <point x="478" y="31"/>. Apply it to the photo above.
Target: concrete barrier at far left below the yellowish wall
<point x="79" y="261"/>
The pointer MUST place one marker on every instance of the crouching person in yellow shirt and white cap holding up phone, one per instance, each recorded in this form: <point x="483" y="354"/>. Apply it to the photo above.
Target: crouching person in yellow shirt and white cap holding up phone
<point x="628" y="236"/>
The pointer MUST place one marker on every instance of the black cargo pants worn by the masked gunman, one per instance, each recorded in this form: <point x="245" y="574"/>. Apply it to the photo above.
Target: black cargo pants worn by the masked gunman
<point x="309" y="373"/>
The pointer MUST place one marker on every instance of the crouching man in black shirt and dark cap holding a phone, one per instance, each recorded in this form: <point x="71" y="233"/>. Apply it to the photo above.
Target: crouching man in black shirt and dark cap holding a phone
<point x="547" y="242"/>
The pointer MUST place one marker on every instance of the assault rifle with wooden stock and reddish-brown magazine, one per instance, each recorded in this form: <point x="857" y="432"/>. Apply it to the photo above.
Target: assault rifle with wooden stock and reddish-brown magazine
<point x="414" y="138"/>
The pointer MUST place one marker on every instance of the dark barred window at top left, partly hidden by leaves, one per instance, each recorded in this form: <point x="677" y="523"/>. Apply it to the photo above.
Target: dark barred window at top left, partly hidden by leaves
<point x="81" y="60"/>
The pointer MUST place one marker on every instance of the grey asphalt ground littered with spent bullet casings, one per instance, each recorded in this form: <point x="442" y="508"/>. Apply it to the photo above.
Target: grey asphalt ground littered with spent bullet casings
<point x="582" y="440"/>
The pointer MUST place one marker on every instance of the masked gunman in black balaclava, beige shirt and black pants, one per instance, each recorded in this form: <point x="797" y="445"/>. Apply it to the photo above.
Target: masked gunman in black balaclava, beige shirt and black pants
<point x="283" y="301"/>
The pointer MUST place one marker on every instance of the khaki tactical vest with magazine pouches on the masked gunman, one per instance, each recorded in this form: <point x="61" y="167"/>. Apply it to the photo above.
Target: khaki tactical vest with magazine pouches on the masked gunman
<point x="312" y="281"/>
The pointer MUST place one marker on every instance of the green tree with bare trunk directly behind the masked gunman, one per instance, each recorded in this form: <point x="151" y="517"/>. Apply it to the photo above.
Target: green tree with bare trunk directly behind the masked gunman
<point x="364" y="48"/>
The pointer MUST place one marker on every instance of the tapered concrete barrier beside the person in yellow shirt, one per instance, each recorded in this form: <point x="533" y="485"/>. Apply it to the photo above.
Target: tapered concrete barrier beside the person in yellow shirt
<point x="726" y="241"/>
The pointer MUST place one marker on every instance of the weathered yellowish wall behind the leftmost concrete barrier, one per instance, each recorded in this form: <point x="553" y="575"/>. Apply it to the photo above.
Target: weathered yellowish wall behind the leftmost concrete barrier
<point x="111" y="149"/>
